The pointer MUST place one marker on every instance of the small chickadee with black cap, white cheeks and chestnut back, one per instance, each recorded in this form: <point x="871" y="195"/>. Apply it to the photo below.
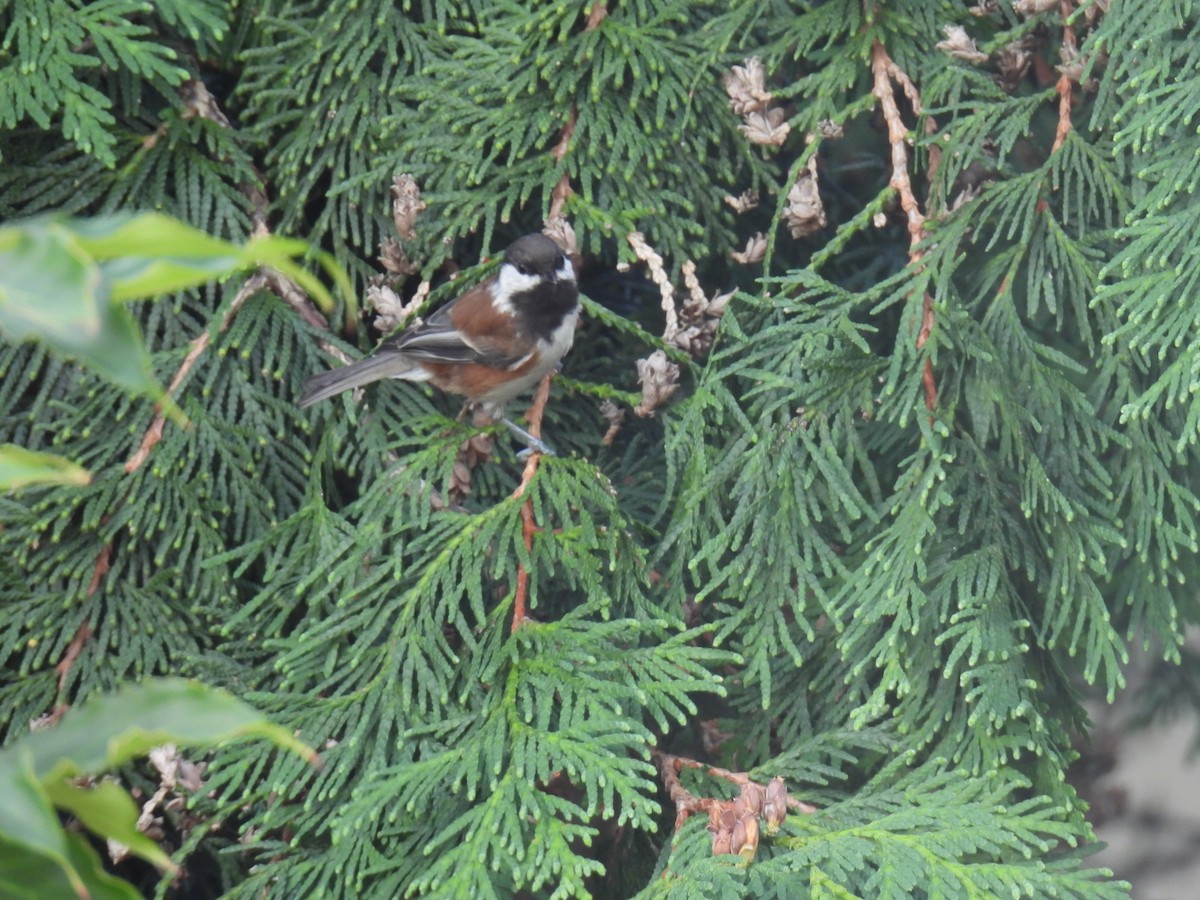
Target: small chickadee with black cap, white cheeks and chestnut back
<point x="489" y="345"/>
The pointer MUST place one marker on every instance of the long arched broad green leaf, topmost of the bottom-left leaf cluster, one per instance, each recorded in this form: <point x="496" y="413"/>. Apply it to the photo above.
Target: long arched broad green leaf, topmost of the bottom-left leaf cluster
<point x="111" y="730"/>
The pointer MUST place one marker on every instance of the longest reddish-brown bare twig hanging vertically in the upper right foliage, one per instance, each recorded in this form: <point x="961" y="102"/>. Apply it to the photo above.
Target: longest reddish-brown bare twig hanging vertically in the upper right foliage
<point x="885" y="73"/>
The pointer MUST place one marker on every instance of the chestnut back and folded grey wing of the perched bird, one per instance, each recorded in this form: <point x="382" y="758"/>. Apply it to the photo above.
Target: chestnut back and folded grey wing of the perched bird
<point x="441" y="339"/>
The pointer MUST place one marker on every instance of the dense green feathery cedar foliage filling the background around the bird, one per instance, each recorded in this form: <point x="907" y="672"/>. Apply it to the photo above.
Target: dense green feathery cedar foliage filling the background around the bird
<point x="887" y="565"/>
